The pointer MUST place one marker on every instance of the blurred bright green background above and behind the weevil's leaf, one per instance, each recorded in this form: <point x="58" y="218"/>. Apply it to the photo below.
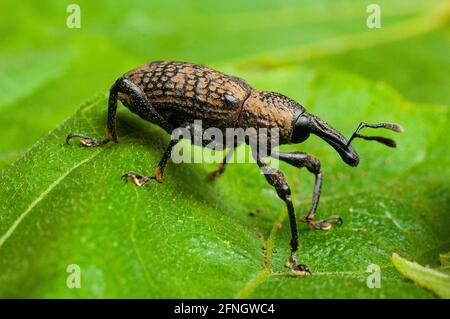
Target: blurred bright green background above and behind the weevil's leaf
<point x="47" y="69"/>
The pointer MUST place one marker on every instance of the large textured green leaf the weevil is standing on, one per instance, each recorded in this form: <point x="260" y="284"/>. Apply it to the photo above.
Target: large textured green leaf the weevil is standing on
<point x="188" y="237"/>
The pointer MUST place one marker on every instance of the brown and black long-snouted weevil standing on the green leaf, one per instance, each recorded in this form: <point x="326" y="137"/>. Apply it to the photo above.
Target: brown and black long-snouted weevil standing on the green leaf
<point x="175" y="94"/>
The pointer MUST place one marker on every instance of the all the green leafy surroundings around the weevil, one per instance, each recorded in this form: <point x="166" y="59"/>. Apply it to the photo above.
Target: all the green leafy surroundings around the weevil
<point x="188" y="237"/>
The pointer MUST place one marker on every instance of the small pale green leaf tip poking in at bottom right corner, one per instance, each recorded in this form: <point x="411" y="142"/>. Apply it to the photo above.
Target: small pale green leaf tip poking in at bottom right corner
<point x="431" y="279"/>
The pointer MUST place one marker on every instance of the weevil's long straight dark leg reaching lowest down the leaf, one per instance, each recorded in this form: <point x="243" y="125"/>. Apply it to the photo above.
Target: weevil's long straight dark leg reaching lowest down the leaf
<point x="277" y="179"/>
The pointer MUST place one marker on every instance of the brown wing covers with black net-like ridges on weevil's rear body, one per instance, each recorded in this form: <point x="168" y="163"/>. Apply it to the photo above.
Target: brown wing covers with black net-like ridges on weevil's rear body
<point x="193" y="90"/>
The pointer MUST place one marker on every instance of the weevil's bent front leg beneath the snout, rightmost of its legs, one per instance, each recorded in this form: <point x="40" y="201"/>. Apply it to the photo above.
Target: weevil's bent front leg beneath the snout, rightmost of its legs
<point x="302" y="159"/>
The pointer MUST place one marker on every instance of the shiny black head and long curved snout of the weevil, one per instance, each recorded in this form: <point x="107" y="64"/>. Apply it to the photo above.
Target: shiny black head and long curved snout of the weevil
<point x="306" y="123"/>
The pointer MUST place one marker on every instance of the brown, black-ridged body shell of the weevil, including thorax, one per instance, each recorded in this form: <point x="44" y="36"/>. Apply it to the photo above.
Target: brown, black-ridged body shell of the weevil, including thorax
<point x="182" y="92"/>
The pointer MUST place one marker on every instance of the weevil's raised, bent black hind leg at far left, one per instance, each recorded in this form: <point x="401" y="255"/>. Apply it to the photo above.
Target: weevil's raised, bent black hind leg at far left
<point x="138" y="99"/>
